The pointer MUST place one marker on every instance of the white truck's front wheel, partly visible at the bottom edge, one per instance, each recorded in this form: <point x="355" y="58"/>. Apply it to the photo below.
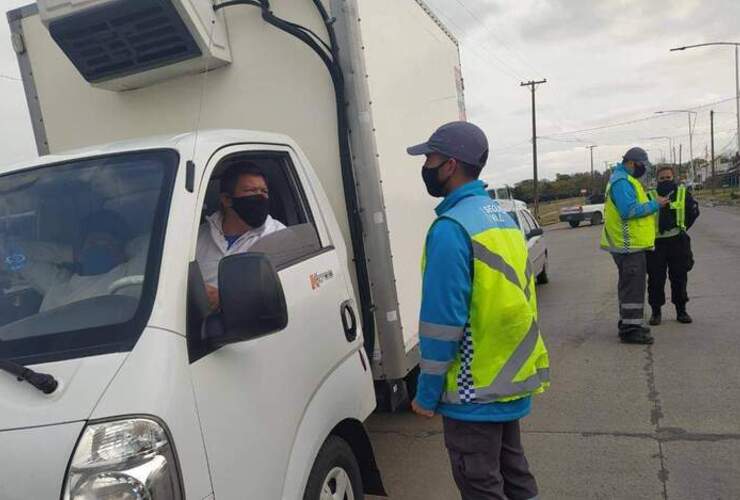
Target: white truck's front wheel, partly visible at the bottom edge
<point x="335" y="474"/>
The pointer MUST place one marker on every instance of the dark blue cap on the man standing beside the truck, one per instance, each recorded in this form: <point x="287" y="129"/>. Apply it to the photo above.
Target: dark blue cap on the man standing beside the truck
<point x="460" y="140"/>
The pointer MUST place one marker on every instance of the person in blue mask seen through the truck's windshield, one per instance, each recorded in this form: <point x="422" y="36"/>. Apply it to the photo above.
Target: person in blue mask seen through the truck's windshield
<point x="91" y="268"/>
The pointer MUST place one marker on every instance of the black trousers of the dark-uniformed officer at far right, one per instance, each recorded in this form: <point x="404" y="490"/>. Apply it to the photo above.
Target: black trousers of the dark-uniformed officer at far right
<point x="673" y="255"/>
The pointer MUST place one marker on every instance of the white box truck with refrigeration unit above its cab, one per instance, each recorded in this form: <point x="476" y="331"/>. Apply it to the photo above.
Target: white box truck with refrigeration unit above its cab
<point x="138" y="108"/>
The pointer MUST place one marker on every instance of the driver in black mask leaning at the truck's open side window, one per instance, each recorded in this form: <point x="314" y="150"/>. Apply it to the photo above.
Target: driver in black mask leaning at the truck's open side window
<point x="244" y="218"/>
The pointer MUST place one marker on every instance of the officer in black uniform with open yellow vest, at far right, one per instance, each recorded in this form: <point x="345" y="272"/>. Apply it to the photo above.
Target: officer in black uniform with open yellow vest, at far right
<point x="672" y="247"/>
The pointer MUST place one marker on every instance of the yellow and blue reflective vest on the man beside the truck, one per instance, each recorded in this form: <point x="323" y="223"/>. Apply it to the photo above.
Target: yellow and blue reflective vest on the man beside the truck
<point x="502" y="356"/>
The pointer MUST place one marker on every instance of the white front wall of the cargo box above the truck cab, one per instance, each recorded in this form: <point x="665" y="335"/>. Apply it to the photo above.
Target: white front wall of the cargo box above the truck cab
<point x="275" y="84"/>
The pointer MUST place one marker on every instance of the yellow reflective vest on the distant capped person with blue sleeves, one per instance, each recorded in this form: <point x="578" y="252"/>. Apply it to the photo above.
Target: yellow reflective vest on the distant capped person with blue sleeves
<point x="631" y="235"/>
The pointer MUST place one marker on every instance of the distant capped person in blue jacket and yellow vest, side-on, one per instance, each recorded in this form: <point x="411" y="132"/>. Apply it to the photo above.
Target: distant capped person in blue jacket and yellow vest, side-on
<point x="629" y="232"/>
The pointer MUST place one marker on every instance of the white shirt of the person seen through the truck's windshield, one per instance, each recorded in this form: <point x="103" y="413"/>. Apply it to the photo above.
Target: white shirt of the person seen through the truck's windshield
<point x="61" y="287"/>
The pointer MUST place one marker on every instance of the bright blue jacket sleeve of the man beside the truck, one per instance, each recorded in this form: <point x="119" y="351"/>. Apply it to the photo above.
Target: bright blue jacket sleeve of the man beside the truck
<point x="445" y="307"/>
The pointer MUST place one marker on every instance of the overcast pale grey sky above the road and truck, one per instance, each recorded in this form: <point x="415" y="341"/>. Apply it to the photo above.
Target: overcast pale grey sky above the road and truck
<point x="605" y="61"/>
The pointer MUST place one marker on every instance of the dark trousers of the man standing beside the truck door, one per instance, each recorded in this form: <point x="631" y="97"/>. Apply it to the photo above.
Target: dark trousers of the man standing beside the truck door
<point x="488" y="460"/>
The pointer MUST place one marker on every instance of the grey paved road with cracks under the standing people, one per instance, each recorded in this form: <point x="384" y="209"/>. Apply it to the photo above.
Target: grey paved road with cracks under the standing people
<point x="620" y="422"/>
